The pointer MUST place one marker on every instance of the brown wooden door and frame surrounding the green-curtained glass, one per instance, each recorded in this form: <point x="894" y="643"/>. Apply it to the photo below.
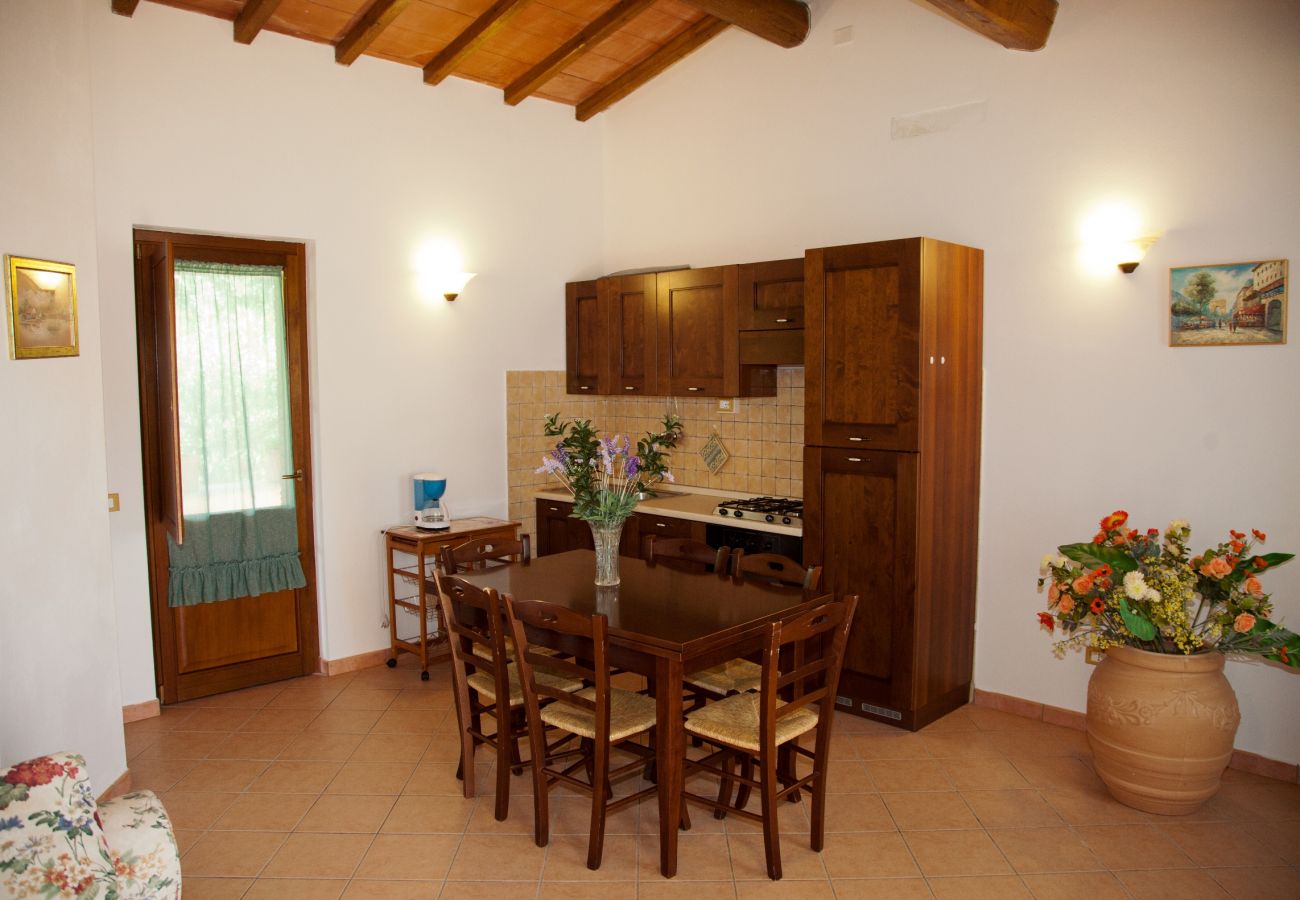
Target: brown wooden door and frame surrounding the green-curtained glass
<point x="239" y="643"/>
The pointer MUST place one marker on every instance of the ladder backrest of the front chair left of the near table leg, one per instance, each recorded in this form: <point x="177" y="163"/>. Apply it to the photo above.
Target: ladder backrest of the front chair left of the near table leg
<point x="586" y="643"/>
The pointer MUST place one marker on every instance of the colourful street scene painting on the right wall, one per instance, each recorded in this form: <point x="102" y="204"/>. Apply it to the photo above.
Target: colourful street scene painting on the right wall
<point x="1236" y="304"/>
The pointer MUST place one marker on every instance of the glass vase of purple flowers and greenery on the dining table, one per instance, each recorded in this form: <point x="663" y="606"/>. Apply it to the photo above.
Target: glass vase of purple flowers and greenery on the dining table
<point x="608" y="477"/>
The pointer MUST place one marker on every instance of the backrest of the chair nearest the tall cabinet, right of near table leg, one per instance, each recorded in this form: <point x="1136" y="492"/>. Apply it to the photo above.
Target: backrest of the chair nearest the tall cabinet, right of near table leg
<point x="813" y="669"/>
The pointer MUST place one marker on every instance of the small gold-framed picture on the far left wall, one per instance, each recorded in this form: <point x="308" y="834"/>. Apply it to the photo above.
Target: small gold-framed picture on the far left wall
<point x="42" y="309"/>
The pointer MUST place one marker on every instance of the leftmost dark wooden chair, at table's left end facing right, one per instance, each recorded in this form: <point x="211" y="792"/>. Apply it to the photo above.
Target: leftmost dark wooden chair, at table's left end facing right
<point x="486" y="682"/>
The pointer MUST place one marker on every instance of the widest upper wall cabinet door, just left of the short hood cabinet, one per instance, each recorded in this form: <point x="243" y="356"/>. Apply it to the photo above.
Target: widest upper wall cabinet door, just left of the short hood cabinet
<point x="699" y="340"/>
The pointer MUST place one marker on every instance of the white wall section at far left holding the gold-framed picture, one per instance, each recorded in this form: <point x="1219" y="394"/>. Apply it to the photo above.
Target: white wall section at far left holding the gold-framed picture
<point x="59" y="674"/>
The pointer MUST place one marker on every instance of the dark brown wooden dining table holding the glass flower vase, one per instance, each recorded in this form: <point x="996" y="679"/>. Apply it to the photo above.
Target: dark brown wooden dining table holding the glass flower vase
<point x="664" y="624"/>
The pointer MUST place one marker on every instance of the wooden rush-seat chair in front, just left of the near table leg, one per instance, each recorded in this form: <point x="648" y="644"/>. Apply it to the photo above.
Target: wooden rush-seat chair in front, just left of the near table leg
<point x="601" y="716"/>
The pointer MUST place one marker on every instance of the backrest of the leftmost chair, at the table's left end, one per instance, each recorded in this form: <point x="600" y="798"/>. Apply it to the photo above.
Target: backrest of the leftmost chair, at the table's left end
<point x="471" y="617"/>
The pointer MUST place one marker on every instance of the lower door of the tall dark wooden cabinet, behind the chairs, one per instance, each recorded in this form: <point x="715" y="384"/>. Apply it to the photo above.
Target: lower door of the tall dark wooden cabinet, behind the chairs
<point x="861" y="527"/>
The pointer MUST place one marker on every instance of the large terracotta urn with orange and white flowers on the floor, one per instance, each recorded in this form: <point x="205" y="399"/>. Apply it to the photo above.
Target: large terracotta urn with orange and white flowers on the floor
<point x="1162" y="715"/>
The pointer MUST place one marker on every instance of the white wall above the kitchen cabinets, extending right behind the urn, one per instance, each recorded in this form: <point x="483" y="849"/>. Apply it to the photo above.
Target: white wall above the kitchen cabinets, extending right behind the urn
<point x="1189" y="111"/>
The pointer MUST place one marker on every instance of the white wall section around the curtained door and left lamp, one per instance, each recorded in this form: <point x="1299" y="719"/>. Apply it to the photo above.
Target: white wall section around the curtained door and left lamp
<point x="196" y="132"/>
